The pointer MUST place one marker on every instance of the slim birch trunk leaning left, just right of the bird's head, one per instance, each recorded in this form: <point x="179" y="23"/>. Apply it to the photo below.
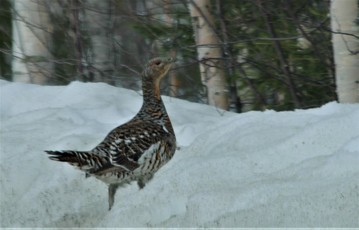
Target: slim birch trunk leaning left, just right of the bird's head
<point x="209" y="53"/>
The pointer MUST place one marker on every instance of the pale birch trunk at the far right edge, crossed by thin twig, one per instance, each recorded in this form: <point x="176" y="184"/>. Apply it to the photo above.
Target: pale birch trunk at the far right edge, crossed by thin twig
<point x="346" y="49"/>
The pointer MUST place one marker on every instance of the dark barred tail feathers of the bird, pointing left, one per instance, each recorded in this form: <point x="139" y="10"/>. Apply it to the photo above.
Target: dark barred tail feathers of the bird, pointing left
<point x="85" y="161"/>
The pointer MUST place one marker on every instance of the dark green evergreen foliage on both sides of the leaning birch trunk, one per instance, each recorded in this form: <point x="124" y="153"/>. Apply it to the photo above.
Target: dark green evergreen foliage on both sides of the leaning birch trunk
<point x="272" y="68"/>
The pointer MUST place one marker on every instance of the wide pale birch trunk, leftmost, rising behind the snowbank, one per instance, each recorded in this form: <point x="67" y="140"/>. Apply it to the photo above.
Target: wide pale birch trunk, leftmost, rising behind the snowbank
<point x="31" y="33"/>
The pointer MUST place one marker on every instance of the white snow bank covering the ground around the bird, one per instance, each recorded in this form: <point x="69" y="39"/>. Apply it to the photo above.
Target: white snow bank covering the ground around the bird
<point x="256" y="169"/>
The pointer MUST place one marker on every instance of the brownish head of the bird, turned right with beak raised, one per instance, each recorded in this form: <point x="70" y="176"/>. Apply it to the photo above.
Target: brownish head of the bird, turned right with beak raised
<point x="157" y="68"/>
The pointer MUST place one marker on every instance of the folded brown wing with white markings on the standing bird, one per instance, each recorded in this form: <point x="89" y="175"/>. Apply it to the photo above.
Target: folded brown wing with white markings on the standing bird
<point x="128" y="144"/>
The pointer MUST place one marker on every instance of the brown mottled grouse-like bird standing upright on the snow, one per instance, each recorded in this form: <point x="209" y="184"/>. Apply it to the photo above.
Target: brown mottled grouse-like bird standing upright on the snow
<point x="135" y="150"/>
